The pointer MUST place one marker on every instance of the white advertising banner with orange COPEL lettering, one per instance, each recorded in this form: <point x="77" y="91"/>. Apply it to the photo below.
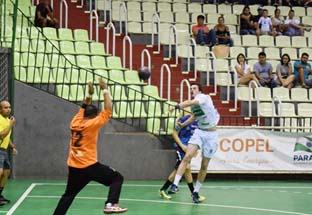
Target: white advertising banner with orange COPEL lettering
<point x="252" y="150"/>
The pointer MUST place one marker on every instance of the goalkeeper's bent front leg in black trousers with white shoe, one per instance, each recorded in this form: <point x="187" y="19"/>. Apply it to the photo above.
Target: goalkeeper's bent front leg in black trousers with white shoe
<point x="109" y="177"/>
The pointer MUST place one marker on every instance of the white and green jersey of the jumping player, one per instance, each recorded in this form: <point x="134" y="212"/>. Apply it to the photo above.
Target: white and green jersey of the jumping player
<point x="205" y="113"/>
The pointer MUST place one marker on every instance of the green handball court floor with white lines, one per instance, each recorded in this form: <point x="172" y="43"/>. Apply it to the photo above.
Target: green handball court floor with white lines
<point x="141" y="197"/>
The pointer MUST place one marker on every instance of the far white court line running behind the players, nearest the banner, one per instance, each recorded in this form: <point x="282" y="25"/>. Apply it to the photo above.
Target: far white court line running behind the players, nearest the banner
<point x="208" y="187"/>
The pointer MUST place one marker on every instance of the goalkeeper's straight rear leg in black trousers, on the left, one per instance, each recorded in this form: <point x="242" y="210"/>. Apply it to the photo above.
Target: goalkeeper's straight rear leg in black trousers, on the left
<point x="77" y="180"/>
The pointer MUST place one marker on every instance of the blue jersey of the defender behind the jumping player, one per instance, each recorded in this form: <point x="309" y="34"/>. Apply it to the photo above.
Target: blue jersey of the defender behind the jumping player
<point x="187" y="131"/>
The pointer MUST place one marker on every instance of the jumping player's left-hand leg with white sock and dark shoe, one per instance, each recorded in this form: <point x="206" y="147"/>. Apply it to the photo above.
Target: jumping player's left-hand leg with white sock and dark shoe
<point x="190" y="152"/>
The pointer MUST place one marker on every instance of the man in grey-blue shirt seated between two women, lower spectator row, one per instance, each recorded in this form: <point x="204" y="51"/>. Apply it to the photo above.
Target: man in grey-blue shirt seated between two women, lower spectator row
<point x="264" y="72"/>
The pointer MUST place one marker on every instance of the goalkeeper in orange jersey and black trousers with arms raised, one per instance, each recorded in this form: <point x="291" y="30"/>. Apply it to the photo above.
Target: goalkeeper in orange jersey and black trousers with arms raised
<point x="82" y="160"/>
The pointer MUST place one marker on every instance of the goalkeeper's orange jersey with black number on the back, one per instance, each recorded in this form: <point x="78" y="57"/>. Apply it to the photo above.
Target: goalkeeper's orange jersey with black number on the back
<point x="84" y="135"/>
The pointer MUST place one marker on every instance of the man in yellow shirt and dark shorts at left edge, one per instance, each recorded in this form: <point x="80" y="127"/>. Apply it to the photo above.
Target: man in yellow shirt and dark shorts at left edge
<point x="6" y="124"/>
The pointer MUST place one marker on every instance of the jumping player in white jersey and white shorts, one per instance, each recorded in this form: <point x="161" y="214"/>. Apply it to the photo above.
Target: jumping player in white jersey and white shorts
<point x="204" y="137"/>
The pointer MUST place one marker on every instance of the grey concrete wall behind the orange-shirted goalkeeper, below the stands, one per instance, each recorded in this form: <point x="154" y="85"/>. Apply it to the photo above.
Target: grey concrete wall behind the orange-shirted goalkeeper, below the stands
<point x="42" y="134"/>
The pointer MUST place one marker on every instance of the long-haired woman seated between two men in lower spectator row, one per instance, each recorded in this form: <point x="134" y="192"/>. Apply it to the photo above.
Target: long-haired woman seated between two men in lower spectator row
<point x="285" y="76"/>
